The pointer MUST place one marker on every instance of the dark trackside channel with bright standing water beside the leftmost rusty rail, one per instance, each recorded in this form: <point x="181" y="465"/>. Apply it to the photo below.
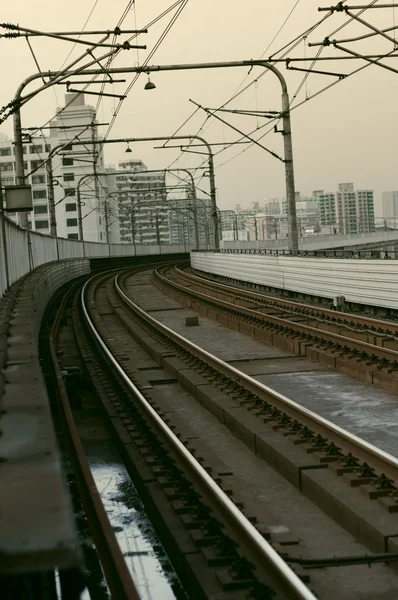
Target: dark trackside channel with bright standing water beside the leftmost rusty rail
<point x="142" y="551"/>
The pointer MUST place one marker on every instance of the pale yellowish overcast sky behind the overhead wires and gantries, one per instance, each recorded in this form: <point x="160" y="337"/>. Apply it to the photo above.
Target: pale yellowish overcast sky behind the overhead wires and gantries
<point x="347" y="133"/>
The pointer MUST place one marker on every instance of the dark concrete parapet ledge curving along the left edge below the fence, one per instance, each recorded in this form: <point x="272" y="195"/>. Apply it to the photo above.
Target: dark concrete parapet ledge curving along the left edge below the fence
<point x="37" y="531"/>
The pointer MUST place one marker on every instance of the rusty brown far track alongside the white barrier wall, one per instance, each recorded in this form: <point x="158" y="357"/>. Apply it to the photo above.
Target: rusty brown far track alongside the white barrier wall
<point x="360" y="346"/>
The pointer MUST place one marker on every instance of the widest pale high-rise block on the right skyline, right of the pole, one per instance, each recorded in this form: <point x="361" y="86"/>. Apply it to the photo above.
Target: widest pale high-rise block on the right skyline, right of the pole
<point x="347" y="210"/>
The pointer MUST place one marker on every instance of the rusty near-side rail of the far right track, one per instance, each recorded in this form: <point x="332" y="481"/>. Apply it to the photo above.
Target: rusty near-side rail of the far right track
<point x="336" y="338"/>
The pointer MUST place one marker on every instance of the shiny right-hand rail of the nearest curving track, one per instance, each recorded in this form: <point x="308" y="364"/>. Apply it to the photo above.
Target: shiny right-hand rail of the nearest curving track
<point x="362" y="450"/>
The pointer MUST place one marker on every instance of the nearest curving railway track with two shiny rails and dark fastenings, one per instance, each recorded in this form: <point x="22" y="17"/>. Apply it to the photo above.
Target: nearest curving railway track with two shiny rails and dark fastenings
<point x="295" y="441"/>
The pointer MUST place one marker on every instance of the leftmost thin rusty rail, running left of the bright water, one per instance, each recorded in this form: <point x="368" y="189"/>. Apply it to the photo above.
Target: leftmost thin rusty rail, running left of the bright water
<point x="117" y="574"/>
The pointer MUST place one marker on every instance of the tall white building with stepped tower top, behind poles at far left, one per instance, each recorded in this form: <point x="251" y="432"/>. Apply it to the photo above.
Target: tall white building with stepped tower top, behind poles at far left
<point x="76" y="121"/>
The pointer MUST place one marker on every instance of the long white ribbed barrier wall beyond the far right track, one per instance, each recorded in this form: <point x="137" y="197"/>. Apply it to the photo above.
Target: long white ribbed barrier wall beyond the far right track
<point x="368" y="282"/>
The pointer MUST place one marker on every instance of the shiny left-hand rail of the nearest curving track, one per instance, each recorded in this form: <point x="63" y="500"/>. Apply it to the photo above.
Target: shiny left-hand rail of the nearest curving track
<point x="263" y="553"/>
